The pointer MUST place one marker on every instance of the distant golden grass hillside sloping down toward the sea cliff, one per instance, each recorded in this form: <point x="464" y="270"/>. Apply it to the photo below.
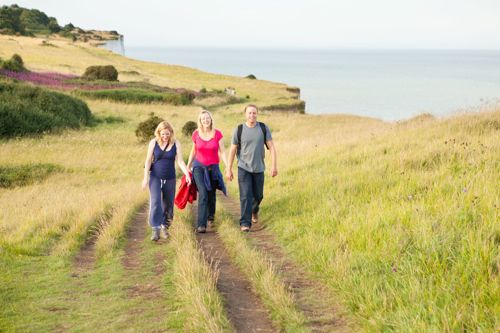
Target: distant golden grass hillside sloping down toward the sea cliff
<point x="73" y="58"/>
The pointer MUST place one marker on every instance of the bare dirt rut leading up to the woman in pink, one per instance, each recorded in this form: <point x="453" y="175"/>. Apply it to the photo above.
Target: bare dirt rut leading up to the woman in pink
<point x="244" y="309"/>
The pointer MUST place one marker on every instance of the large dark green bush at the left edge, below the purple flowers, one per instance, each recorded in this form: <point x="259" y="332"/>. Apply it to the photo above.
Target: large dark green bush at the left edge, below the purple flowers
<point x="27" y="110"/>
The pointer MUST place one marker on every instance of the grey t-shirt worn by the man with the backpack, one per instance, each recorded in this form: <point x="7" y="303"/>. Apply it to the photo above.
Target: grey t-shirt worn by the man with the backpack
<point x="252" y="150"/>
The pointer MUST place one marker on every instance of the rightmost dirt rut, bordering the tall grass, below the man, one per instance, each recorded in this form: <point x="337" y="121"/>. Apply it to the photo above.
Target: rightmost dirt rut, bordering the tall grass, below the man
<point x="321" y="312"/>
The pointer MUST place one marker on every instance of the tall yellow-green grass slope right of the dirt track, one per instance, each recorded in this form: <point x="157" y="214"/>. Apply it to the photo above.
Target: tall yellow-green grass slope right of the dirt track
<point x="400" y="219"/>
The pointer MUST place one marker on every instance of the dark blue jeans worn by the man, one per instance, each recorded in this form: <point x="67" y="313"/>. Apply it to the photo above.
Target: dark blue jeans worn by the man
<point x="251" y="194"/>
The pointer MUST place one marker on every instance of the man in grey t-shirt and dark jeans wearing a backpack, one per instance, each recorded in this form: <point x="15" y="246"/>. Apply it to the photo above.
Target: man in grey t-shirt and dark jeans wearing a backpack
<point x="248" y="141"/>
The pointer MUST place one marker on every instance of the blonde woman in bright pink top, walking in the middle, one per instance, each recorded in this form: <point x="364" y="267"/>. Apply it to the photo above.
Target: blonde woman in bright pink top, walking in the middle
<point x="204" y="159"/>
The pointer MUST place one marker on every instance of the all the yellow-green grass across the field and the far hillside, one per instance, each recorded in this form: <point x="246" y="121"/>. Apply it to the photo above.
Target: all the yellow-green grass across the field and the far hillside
<point x="400" y="220"/>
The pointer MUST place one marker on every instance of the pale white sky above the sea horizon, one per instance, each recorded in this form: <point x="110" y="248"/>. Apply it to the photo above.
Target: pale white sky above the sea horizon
<point x="318" y="24"/>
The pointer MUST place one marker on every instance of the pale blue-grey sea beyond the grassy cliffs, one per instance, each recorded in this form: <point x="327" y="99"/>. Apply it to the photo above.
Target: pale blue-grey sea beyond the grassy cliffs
<point x="386" y="84"/>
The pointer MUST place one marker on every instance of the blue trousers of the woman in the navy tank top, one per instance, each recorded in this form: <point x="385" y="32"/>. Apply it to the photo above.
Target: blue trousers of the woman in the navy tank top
<point x="161" y="201"/>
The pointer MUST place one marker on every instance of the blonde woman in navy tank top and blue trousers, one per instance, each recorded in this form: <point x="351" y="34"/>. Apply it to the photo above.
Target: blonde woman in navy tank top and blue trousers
<point x="159" y="173"/>
